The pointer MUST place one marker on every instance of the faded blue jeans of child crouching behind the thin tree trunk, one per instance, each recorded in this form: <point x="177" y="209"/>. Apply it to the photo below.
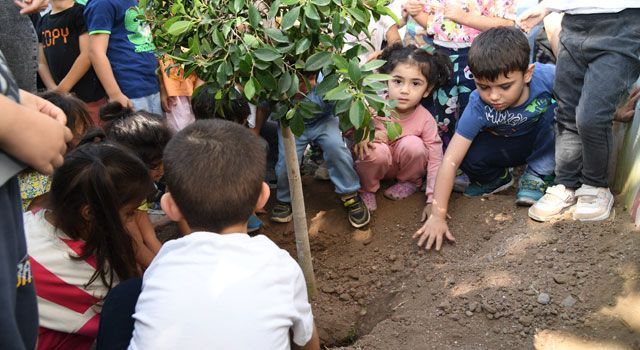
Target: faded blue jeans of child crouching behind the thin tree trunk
<point x="326" y="133"/>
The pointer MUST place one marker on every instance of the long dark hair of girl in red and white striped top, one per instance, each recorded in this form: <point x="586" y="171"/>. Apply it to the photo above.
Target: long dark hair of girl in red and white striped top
<point x="103" y="178"/>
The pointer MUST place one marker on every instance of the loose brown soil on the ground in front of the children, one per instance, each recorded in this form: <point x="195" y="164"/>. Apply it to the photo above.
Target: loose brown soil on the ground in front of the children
<point x="508" y="282"/>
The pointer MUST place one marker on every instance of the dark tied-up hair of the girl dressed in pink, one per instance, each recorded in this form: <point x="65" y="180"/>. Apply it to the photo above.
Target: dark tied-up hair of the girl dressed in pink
<point x="436" y="66"/>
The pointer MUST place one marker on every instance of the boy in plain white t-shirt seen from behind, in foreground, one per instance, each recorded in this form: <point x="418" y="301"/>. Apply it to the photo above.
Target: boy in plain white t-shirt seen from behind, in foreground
<point x="219" y="288"/>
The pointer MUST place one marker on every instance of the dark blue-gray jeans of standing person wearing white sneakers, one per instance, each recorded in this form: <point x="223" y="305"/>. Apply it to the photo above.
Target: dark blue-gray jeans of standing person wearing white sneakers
<point x="597" y="63"/>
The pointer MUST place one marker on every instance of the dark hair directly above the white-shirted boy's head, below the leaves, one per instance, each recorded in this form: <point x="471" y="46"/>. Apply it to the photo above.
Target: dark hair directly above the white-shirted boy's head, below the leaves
<point x="233" y="107"/>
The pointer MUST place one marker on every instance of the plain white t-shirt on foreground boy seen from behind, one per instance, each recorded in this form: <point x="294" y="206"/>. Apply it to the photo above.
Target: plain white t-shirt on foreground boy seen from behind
<point x="232" y="291"/>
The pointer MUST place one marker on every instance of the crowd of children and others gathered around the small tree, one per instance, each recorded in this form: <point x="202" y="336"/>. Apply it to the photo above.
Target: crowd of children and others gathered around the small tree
<point x="125" y="137"/>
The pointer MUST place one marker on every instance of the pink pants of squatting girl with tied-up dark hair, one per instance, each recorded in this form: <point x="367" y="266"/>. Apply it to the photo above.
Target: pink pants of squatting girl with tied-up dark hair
<point x="404" y="160"/>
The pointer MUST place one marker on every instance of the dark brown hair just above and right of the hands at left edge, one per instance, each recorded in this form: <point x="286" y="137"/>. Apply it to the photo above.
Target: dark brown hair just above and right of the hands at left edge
<point x="78" y="117"/>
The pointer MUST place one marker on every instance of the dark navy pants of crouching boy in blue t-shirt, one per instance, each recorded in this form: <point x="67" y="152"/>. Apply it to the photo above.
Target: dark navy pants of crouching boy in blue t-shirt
<point x="490" y="154"/>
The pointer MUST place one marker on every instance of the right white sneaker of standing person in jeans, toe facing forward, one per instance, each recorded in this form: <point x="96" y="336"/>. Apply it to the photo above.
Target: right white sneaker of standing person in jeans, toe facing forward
<point x="594" y="203"/>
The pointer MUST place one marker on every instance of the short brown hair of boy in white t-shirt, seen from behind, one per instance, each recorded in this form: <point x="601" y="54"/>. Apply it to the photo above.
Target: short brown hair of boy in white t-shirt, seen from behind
<point x="214" y="170"/>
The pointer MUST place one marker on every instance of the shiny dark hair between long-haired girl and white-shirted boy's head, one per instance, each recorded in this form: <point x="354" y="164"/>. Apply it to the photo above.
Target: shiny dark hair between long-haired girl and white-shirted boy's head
<point x="146" y="134"/>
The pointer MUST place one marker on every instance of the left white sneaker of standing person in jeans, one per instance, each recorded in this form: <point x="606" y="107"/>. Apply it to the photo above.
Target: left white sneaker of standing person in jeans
<point x="556" y="200"/>
